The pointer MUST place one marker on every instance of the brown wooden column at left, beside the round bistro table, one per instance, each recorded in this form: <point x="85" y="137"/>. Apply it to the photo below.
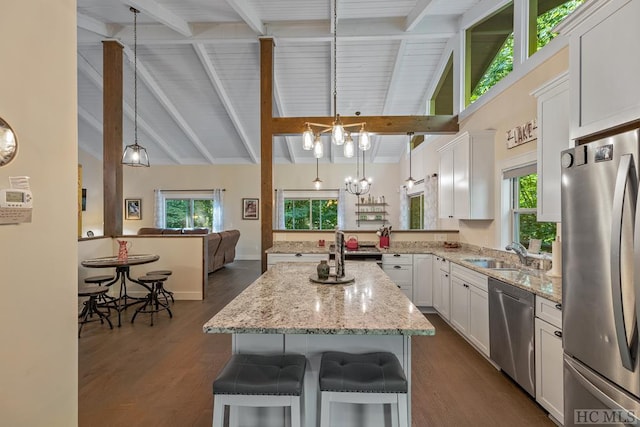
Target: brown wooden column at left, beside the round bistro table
<point x="112" y="136"/>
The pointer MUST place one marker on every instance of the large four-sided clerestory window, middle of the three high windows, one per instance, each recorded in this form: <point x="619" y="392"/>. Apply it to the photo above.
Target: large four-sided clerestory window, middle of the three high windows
<point x="489" y="53"/>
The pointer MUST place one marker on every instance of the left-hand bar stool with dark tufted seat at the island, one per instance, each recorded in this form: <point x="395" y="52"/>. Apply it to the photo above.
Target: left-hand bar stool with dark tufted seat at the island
<point x="260" y="380"/>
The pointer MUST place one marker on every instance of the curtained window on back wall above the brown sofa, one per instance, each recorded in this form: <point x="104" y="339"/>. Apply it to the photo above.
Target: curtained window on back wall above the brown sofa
<point x="187" y="209"/>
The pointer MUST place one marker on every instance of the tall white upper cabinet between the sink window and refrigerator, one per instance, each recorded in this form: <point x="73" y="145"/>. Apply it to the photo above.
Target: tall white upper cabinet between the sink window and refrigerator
<point x="553" y="138"/>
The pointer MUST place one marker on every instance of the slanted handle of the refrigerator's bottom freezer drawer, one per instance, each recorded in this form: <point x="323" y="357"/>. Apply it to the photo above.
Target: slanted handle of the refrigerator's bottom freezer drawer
<point x="602" y="391"/>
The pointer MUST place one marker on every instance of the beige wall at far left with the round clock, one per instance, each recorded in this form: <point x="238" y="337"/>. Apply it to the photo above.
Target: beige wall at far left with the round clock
<point x="38" y="328"/>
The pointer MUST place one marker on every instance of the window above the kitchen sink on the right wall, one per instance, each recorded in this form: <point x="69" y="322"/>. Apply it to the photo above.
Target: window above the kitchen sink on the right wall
<point x="524" y="201"/>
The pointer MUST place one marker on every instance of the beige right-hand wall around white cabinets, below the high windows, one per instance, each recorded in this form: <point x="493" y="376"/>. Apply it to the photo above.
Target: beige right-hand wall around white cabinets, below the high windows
<point x="513" y="107"/>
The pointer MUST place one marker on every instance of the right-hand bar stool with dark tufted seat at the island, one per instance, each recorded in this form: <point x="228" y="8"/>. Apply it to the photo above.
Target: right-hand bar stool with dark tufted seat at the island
<point x="370" y="378"/>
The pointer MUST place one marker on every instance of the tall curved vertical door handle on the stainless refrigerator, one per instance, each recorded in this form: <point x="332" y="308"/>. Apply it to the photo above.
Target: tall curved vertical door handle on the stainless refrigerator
<point x="625" y="168"/>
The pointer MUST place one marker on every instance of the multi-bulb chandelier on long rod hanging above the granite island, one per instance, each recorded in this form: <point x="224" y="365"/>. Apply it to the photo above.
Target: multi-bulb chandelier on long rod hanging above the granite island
<point x="340" y="133"/>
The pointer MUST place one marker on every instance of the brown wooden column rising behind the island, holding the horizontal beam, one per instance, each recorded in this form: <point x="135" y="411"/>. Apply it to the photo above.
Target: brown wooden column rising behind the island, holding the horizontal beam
<point x="266" y="146"/>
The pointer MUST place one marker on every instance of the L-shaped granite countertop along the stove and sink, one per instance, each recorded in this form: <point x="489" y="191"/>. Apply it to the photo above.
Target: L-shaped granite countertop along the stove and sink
<point x="531" y="280"/>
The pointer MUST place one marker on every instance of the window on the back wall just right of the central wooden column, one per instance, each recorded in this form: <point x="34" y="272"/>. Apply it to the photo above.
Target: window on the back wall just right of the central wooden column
<point x="308" y="213"/>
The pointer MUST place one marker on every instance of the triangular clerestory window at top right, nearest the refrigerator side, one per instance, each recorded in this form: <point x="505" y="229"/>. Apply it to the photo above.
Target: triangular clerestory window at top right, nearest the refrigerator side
<point x="545" y="15"/>
